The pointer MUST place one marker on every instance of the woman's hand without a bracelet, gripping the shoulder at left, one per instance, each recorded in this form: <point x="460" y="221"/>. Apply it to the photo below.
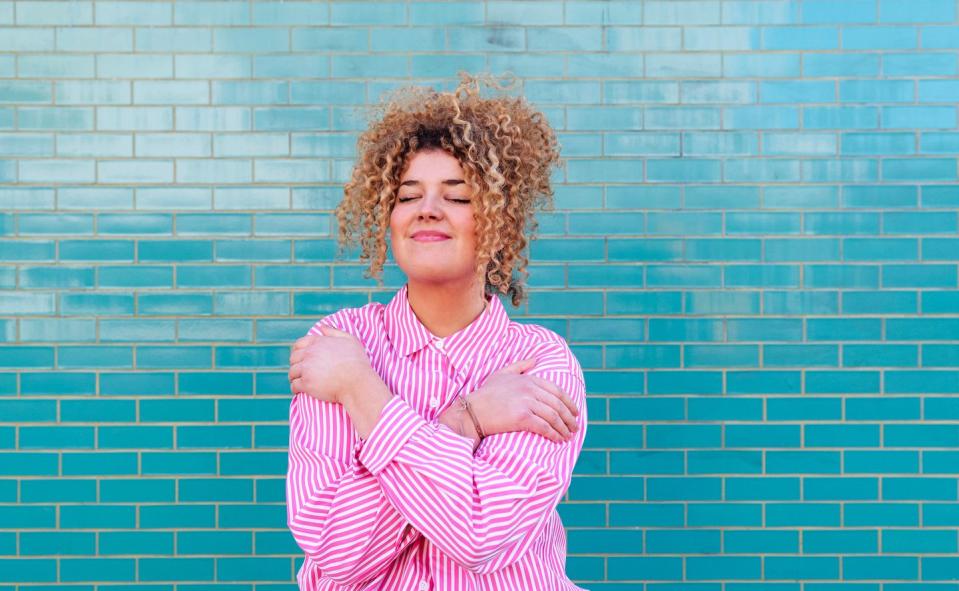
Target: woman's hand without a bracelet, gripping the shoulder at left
<point x="325" y="366"/>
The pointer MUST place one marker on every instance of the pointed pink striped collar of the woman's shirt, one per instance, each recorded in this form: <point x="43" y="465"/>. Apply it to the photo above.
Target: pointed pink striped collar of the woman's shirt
<point x="408" y="335"/>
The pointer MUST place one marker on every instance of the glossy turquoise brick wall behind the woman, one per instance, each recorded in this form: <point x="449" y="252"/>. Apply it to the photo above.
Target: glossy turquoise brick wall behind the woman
<point x="753" y="255"/>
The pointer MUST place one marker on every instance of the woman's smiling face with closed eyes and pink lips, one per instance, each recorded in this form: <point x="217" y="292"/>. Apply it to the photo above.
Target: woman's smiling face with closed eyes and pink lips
<point x="432" y="230"/>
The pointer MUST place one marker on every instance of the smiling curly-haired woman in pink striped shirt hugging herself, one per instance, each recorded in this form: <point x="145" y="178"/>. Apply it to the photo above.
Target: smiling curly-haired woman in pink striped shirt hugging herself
<point x="431" y="438"/>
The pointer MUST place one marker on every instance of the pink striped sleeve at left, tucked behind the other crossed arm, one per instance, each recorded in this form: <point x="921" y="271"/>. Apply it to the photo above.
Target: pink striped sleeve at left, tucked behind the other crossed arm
<point x="336" y="510"/>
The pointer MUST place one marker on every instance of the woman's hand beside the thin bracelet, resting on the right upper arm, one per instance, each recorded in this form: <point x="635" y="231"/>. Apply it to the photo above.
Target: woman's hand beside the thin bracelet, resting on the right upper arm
<point x="510" y="400"/>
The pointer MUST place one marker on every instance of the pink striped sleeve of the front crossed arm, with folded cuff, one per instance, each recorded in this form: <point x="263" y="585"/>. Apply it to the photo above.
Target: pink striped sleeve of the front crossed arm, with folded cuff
<point x="484" y="510"/>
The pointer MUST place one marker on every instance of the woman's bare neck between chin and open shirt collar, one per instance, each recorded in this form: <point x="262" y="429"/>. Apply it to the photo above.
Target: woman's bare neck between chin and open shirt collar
<point x="445" y="309"/>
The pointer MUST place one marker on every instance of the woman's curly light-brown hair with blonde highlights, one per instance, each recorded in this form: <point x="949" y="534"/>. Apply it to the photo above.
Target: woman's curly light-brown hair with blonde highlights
<point x="505" y="147"/>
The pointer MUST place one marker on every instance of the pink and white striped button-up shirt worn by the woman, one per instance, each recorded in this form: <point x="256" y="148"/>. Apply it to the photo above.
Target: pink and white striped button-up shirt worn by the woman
<point x="411" y="507"/>
